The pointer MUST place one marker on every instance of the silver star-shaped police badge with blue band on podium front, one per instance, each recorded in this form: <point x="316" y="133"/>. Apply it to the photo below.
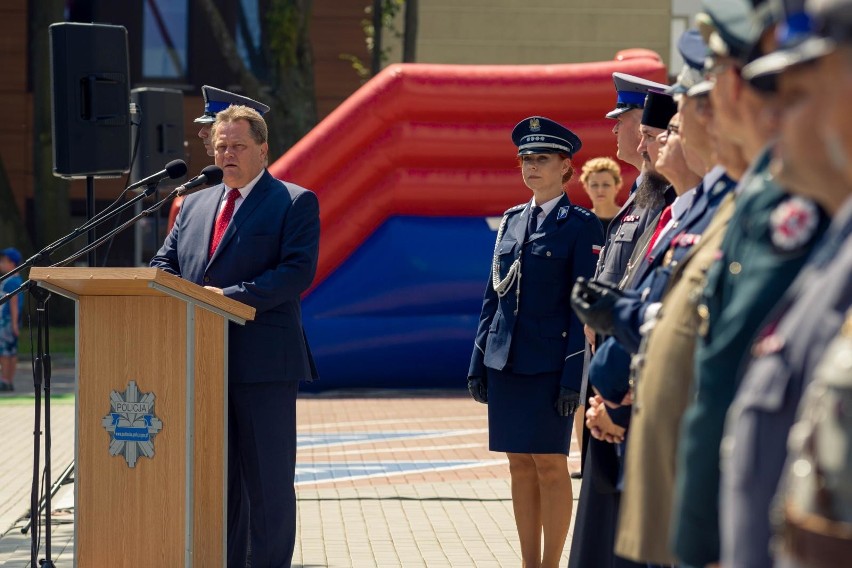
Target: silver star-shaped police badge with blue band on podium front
<point x="132" y="424"/>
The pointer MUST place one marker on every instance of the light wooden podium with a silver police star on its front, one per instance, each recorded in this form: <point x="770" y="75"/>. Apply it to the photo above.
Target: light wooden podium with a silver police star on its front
<point x="151" y="416"/>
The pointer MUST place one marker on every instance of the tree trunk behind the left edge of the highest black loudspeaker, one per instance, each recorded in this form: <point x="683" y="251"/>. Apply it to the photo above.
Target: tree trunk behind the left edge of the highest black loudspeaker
<point x="51" y="203"/>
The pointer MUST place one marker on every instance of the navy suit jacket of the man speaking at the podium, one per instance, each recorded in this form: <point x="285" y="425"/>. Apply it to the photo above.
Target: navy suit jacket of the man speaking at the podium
<point x="266" y="259"/>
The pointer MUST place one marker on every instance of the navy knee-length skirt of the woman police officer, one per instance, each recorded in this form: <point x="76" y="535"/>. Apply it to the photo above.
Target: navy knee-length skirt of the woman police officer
<point x="522" y="417"/>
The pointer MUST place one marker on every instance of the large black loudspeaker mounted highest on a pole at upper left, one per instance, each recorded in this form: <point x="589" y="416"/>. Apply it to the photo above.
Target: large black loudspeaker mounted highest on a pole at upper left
<point x="91" y="100"/>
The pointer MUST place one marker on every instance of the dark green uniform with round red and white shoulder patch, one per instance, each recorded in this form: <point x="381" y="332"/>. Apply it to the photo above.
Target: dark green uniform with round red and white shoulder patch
<point x="767" y="241"/>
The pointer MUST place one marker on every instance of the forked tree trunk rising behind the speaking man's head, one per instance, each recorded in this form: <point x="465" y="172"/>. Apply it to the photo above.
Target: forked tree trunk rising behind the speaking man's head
<point x="287" y="56"/>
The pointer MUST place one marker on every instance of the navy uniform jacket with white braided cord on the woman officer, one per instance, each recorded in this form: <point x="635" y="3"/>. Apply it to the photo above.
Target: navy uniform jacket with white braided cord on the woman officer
<point x="536" y="331"/>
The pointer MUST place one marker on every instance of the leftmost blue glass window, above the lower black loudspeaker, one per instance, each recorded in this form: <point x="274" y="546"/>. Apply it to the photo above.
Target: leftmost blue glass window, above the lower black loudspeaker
<point x="164" y="33"/>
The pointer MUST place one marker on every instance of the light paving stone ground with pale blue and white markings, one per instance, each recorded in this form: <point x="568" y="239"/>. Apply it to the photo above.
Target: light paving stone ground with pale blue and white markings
<point x="384" y="479"/>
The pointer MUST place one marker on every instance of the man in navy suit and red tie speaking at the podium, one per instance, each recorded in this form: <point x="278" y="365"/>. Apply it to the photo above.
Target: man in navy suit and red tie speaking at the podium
<point x="254" y="239"/>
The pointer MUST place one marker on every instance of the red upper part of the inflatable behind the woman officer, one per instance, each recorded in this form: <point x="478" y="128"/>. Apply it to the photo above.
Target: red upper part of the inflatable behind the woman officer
<point x="433" y="140"/>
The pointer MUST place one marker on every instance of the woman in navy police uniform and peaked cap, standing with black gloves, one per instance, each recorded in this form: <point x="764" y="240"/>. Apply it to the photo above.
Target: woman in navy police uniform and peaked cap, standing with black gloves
<point x="527" y="362"/>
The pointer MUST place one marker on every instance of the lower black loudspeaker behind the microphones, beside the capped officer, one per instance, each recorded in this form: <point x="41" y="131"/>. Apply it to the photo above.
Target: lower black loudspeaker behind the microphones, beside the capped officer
<point x="160" y="130"/>
